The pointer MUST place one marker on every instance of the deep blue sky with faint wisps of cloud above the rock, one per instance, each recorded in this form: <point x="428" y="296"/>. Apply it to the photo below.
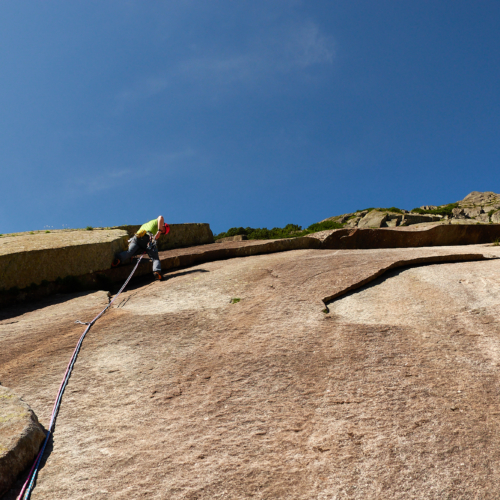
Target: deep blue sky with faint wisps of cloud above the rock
<point x="243" y="113"/>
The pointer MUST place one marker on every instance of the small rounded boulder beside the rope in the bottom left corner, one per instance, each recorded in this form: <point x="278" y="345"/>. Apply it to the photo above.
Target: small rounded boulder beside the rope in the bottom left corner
<point x="20" y="437"/>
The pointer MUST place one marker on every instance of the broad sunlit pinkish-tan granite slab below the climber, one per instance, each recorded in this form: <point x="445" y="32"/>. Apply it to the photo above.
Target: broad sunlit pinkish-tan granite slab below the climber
<point x="182" y="392"/>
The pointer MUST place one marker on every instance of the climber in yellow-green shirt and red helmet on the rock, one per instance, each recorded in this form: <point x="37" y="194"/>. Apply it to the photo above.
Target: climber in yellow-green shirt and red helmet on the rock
<point x="145" y="240"/>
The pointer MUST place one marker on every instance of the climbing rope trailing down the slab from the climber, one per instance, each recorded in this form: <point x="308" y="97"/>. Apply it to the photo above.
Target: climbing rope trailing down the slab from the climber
<point x="30" y="481"/>
